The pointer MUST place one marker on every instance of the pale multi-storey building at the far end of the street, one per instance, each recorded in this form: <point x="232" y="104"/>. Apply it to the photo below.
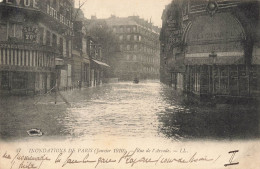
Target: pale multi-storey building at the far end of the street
<point x="138" y="54"/>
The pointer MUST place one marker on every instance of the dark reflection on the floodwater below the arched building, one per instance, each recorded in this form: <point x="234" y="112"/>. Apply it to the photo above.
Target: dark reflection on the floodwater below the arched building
<point x="203" y="120"/>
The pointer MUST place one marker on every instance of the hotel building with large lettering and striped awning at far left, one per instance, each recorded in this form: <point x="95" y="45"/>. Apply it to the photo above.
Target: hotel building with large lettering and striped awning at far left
<point x="35" y="42"/>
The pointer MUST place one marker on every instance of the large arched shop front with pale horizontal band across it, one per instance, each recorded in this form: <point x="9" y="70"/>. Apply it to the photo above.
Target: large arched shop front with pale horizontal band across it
<point x="214" y="58"/>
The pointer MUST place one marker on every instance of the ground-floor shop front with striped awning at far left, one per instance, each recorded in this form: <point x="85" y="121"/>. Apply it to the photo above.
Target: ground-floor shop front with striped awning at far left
<point x="25" y="69"/>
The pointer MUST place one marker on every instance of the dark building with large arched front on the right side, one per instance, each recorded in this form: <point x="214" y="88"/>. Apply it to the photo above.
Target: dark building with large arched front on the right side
<point x="211" y="48"/>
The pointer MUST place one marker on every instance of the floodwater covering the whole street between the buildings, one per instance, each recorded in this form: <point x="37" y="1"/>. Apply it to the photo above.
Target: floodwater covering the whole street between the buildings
<point x="145" y="110"/>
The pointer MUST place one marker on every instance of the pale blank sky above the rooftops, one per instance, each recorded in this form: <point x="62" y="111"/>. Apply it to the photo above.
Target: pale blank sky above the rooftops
<point x="146" y="9"/>
